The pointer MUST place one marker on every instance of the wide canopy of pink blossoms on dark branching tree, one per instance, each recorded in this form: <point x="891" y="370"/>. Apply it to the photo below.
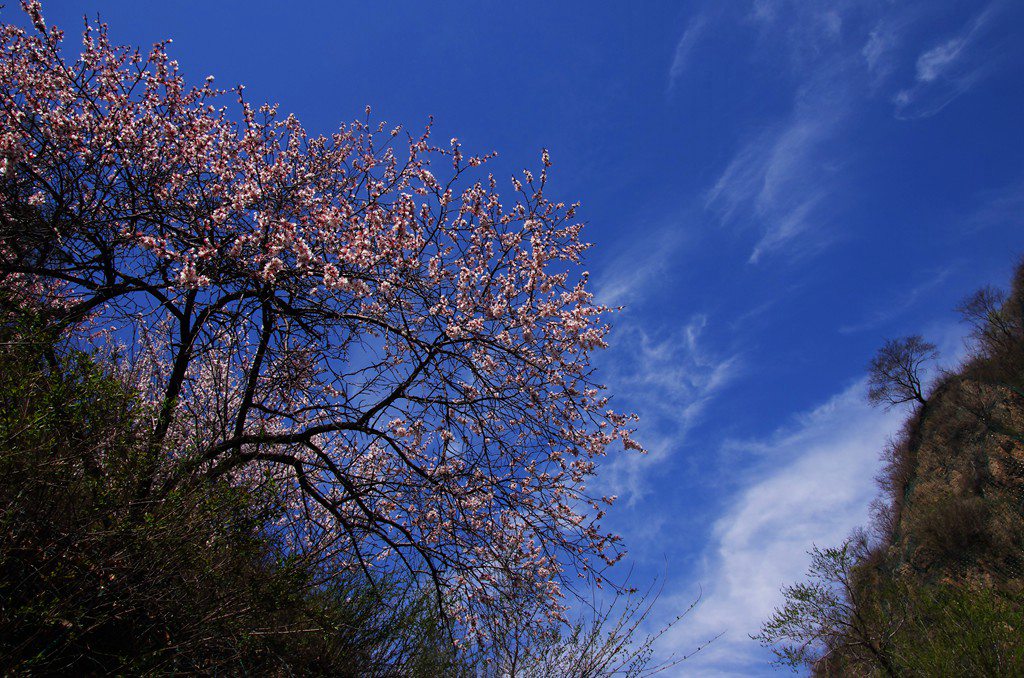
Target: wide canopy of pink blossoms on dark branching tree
<point x="407" y="357"/>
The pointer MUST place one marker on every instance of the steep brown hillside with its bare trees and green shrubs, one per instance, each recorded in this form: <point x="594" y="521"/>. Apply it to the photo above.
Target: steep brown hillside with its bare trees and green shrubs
<point x="935" y="587"/>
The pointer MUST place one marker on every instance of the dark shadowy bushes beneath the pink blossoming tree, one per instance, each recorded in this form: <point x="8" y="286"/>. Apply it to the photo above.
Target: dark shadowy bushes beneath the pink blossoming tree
<point x="94" y="581"/>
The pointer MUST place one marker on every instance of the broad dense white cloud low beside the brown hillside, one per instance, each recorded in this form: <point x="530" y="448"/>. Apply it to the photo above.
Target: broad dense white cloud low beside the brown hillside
<point x="813" y="485"/>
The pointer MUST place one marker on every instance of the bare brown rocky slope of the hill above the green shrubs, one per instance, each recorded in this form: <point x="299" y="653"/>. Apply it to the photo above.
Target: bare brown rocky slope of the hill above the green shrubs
<point x="956" y="478"/>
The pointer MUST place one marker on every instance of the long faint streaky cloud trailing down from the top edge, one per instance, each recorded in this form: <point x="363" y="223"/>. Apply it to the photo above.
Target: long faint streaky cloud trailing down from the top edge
<point x="780" y="183"/>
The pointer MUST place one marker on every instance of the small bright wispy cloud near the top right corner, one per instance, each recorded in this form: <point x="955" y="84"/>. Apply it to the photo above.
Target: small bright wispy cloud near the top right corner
<point x="949" y="69"/>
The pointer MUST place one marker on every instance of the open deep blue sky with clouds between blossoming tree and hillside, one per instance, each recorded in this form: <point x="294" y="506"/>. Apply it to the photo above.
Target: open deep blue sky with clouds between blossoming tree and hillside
<point x="773" y="188"/>
